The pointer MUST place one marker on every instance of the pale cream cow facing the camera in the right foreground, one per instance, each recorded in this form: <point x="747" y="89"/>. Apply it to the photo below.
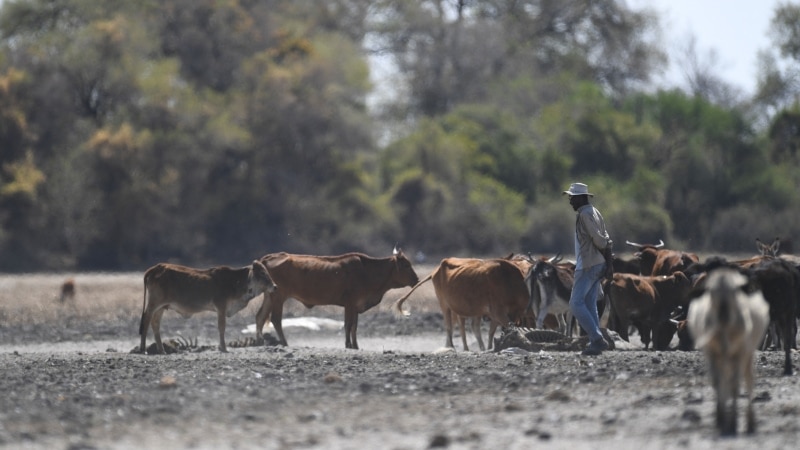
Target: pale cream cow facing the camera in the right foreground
<point x="728" y="324"/>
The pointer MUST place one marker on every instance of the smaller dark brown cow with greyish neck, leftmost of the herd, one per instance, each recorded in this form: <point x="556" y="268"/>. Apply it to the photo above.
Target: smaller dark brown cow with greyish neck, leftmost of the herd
<point x="189" y="291"/>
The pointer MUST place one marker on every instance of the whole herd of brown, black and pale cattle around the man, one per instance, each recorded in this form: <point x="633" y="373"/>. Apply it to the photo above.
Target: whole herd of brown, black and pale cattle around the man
<point x="659" y="292"/>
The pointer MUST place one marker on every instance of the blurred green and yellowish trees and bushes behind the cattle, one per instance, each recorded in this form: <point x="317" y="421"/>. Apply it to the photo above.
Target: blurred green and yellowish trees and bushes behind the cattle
<point x="211" y="132"/>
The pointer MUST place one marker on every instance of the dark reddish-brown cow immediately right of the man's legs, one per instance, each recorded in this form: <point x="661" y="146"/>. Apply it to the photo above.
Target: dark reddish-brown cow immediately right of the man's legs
<point x="646" y="302"/>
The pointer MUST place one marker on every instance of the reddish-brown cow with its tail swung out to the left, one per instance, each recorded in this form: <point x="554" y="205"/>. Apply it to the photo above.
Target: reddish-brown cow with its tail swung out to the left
<point x="470" y="287"/>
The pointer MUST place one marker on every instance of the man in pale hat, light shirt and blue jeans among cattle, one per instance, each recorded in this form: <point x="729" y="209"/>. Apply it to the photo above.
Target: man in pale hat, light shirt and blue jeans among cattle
<point x="592" y="263"/>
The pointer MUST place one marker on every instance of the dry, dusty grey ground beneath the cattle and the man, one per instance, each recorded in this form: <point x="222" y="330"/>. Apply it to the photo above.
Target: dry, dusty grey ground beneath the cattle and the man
<point x="69" y="381"/>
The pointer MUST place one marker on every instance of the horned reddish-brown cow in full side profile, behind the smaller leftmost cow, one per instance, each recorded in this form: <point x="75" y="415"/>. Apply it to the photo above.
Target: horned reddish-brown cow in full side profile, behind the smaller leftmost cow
<point x="352" y="280"/>
